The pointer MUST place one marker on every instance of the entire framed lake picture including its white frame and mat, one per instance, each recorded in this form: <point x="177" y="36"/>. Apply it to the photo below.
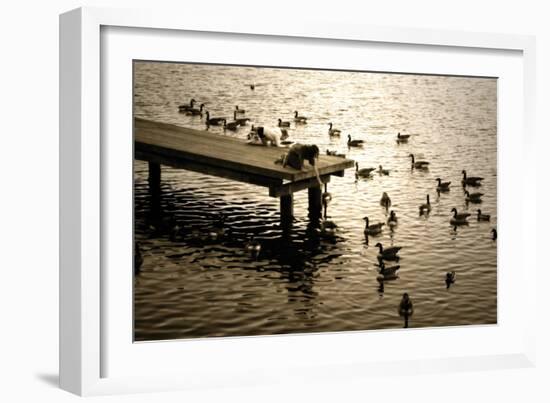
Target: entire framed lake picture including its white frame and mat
<point x="244" y="205"/>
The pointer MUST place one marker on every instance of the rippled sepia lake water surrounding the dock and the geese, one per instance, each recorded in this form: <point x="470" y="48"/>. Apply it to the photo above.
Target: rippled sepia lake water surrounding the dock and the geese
<point x="197" y="286"/>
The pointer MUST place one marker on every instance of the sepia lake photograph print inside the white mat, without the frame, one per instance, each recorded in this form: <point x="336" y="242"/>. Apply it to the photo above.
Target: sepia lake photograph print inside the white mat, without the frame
<point x="272" y="200"/>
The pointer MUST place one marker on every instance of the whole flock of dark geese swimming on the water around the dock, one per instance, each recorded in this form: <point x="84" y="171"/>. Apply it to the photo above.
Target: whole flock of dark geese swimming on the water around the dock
<point x="385" y="254"/>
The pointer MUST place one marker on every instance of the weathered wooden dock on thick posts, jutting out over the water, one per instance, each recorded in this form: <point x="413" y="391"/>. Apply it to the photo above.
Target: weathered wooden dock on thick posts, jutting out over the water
<point x="231" y="158"/>
